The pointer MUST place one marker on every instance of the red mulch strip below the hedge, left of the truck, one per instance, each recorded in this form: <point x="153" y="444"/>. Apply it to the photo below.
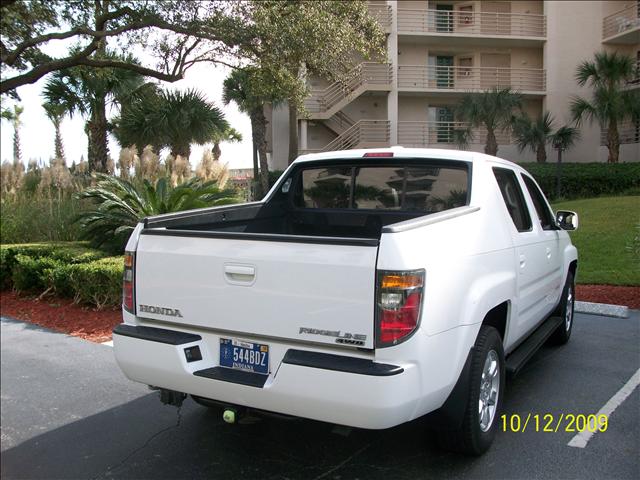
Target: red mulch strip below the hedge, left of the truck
<point x="61" y="315"/>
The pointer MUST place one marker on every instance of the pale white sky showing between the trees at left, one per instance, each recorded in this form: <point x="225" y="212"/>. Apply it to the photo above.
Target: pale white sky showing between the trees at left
<point x="37" y="133"/>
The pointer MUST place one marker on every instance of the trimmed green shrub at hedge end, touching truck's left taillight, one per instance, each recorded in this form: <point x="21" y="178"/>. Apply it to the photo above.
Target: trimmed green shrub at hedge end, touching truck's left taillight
<point x="97" y="283"/>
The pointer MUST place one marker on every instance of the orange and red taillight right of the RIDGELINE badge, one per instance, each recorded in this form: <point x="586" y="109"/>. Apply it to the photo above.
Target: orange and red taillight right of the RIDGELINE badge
<point x="399" y="300"/>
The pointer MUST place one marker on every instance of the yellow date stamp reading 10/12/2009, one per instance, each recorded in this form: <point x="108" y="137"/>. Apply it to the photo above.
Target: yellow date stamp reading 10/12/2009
<point x="553" y="423"/>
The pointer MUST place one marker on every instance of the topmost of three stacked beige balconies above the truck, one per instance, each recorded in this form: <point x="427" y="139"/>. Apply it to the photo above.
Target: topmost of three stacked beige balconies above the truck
<point x="449" y="25"/>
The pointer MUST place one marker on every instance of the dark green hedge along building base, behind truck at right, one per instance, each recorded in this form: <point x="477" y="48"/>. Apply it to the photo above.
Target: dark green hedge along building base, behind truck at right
<point x="586" y="180"/>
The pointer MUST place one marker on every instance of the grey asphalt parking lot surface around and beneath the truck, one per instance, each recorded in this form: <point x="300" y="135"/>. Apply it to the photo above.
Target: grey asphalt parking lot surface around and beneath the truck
<point x="68" y="412"/>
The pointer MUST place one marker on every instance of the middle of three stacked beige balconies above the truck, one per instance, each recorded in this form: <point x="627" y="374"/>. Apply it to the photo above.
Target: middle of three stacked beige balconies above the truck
<point x="432" y="78"/>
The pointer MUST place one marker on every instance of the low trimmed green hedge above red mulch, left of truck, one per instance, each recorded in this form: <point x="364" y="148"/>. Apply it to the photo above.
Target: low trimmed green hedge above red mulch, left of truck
<point x="66" y="269"/>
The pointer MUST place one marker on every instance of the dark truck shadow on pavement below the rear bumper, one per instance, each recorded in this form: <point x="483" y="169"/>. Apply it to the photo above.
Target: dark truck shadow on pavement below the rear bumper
<point x="144" y="439"/>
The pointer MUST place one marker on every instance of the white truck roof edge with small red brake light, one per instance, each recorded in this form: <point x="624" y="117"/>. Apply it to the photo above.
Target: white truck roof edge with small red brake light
<point x="402" y="152"/>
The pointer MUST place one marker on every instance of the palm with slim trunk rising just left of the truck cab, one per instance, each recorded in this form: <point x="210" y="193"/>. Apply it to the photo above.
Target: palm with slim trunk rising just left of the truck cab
<point x="237" y="88"/>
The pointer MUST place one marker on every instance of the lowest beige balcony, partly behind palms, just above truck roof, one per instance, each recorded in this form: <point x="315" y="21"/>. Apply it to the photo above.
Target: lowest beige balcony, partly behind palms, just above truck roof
<point x="442" y="134"/>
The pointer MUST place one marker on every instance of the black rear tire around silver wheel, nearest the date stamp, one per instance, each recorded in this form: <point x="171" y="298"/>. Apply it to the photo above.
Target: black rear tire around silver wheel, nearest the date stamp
<point x="472" y="438"/>
